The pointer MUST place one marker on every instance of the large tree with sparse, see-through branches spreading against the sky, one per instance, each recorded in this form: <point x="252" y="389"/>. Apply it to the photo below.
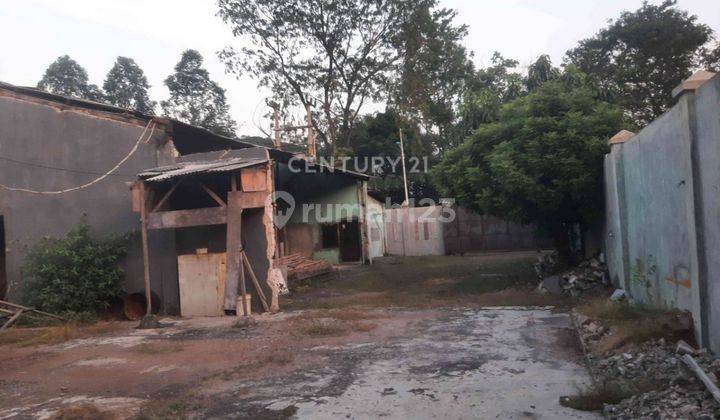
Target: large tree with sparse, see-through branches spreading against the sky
<point x="337" y="53"/>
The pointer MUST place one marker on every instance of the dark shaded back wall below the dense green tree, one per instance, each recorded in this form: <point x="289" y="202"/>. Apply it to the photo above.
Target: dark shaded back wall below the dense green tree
<point x="472" y="232"/>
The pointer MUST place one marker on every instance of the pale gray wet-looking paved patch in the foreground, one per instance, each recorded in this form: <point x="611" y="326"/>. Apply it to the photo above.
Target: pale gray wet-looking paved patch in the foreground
<point x="474" y="363"/>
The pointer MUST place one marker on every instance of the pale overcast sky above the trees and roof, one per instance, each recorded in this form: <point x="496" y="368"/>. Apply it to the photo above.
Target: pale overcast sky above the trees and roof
<point x="155" y="32"/>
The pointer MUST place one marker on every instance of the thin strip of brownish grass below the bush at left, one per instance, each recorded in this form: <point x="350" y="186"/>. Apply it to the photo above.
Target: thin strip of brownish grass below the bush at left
<point x="25" y="337"/>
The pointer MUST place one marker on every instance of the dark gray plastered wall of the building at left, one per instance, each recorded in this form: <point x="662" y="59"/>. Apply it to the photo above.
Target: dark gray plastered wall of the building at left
<point x="52" y="135"/>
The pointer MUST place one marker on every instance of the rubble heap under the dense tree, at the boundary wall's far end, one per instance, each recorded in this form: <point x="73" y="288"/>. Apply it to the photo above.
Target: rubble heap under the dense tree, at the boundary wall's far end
<point x="589" y="275"/>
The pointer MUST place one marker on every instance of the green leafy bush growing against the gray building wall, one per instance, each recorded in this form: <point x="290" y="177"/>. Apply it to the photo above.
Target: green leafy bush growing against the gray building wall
<point x="77" y="275"/>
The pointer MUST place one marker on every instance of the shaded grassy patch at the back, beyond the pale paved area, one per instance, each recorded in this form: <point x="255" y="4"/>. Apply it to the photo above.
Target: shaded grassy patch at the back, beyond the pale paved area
<point x="420" y="282"/>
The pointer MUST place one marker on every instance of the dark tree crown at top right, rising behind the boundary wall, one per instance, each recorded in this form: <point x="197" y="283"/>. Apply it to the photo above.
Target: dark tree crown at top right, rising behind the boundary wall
<point x="640" y="58"/>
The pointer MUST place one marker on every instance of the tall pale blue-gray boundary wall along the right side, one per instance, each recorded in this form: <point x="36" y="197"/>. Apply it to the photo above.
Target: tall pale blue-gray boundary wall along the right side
<point x="663" y="211"/>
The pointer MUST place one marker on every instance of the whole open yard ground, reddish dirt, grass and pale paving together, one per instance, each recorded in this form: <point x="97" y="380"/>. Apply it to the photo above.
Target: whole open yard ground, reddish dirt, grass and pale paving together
<point x="407" y="337"/>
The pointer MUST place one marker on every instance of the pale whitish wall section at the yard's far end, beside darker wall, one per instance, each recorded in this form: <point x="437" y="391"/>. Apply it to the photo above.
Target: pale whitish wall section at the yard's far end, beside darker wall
<point x="414" y="231"/>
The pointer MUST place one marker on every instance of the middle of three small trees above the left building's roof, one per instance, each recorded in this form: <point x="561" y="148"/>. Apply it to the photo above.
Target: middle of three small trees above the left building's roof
<point x="127" y="87"/>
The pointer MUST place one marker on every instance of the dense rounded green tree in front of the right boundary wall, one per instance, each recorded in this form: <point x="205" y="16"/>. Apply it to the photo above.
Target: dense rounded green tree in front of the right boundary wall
<point x="541" y="162"/>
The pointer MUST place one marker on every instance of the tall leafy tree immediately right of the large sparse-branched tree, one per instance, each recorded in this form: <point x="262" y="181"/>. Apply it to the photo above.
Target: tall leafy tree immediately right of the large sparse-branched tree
<point x="434" y="70"/>
